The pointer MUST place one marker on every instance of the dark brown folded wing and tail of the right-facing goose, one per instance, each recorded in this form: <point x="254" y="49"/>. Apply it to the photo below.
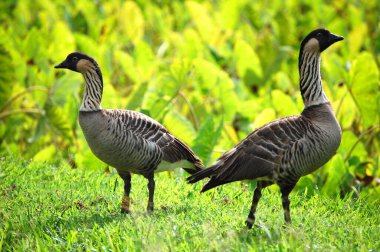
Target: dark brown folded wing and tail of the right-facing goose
<point x="258" y="155"/>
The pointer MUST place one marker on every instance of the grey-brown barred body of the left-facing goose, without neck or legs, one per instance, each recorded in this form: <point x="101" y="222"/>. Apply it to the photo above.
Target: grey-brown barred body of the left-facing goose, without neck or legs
<point x="133" y="142"/>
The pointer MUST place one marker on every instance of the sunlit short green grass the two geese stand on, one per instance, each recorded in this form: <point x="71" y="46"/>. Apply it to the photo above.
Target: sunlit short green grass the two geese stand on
<point x="53" y="207"/>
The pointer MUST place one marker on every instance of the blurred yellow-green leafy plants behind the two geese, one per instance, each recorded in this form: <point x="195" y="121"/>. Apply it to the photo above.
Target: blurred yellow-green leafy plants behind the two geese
<point x="210" y="71"/>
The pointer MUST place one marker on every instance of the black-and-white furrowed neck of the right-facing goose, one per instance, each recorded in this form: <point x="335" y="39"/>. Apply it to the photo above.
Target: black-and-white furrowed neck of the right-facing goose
<point x="310" y="79"/>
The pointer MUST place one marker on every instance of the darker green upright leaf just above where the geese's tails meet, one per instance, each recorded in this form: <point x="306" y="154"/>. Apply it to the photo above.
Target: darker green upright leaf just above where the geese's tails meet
<point x="207" y="138"/>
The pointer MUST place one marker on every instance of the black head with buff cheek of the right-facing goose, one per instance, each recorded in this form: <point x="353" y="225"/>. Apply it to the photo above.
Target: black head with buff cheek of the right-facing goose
<point x="319" y="40"/>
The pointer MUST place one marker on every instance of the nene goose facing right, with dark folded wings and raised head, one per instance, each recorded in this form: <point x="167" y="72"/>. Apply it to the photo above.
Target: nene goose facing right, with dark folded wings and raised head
<point x="286" y="149"/>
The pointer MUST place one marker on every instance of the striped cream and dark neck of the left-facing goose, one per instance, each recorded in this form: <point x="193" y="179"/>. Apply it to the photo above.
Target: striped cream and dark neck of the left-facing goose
<point x="93" y="90"/>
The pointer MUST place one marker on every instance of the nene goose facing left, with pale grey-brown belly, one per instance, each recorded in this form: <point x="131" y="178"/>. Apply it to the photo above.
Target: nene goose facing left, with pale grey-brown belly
<point x="127" y="140"/>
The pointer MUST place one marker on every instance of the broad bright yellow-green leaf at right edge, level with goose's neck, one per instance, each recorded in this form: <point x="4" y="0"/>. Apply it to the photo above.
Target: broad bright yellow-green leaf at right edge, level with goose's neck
<point x="364" y="88"/>
